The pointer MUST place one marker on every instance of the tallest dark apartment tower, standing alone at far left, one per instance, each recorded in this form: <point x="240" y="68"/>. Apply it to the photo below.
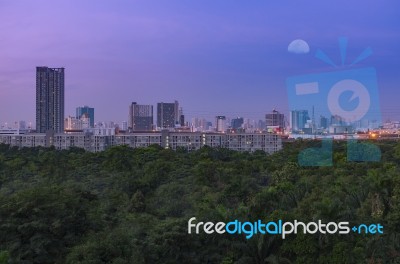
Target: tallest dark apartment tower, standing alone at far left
<point x="49" y="99"/>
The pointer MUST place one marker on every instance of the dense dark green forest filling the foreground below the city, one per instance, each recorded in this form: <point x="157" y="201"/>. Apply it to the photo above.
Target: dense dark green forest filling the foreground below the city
<point x="129" y="205"/>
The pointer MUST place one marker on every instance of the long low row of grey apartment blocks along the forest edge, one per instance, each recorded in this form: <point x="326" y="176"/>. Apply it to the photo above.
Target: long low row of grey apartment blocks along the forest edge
<point x="94" y="141"/>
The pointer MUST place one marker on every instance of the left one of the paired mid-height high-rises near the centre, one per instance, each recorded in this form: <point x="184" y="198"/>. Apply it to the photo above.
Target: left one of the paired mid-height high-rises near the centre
<point x="140" y="117"/>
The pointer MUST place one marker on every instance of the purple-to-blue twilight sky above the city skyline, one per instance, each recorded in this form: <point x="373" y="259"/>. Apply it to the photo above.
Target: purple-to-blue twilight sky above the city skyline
<point x="215" y="57"/>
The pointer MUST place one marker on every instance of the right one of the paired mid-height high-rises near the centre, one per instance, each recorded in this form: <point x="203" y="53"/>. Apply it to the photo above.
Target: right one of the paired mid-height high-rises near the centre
<point x="167" y="114"/>
